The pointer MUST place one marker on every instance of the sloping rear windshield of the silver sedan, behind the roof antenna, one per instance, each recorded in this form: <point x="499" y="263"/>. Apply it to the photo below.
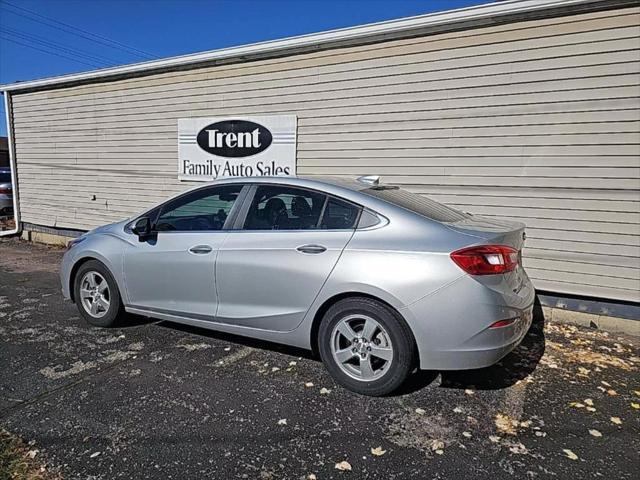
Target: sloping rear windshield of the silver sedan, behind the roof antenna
<point x="417" y="203"/>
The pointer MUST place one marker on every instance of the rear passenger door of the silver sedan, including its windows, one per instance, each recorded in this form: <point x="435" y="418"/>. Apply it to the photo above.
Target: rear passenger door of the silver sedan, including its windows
<point x="273" y="264"/>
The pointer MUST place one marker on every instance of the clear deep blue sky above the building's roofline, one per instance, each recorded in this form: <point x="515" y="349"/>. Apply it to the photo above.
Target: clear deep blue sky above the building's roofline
<point x="34" y="45"/>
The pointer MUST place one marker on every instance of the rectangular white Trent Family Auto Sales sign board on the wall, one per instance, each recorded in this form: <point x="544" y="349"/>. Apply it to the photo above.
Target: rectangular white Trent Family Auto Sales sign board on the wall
<point x="217" y="147"/>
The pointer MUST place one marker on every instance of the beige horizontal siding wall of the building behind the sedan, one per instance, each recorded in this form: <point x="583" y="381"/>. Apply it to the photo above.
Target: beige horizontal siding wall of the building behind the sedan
<point x="537" y="121"/>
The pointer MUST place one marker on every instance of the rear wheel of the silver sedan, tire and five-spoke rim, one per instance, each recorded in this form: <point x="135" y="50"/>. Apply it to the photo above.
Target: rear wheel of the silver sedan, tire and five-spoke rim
<point x="363" y="371"/>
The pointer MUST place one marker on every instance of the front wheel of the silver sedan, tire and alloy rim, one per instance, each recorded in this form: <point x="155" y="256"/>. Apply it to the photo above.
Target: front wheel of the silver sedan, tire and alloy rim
<point x="95" y="277"/>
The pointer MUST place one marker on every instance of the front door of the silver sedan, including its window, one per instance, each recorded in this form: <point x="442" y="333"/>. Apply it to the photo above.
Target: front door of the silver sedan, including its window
<point x="173" y="271"/>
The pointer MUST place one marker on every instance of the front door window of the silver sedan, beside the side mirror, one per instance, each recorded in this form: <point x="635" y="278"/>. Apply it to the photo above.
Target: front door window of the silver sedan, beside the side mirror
<point x="205" y="209"/>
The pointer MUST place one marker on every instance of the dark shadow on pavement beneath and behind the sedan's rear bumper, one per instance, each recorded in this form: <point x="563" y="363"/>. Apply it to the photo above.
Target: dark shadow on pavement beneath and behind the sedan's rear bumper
<point x="516" y="366"/>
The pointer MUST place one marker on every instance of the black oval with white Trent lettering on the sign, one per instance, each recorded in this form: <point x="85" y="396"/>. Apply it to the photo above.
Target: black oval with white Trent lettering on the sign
<point x="234" y="138"/>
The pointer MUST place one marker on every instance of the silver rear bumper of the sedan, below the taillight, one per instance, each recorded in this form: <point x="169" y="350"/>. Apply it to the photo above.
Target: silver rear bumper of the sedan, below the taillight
<point x="453" y="329"/>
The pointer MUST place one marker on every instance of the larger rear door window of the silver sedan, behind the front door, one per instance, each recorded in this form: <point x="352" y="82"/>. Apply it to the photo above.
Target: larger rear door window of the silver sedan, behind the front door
<point x="284" y="208"/>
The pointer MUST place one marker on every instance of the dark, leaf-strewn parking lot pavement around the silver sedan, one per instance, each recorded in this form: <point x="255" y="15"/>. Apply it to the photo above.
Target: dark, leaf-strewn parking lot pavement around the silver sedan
<point x="158" y="400"/>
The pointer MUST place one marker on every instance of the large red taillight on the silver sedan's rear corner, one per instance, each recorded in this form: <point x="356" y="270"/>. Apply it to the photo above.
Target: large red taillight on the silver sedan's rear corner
<point x="486" y="259"/>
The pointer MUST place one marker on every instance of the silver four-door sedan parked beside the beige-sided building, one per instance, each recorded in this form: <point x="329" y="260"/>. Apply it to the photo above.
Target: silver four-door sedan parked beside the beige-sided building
<point x="377" y="280"/>
